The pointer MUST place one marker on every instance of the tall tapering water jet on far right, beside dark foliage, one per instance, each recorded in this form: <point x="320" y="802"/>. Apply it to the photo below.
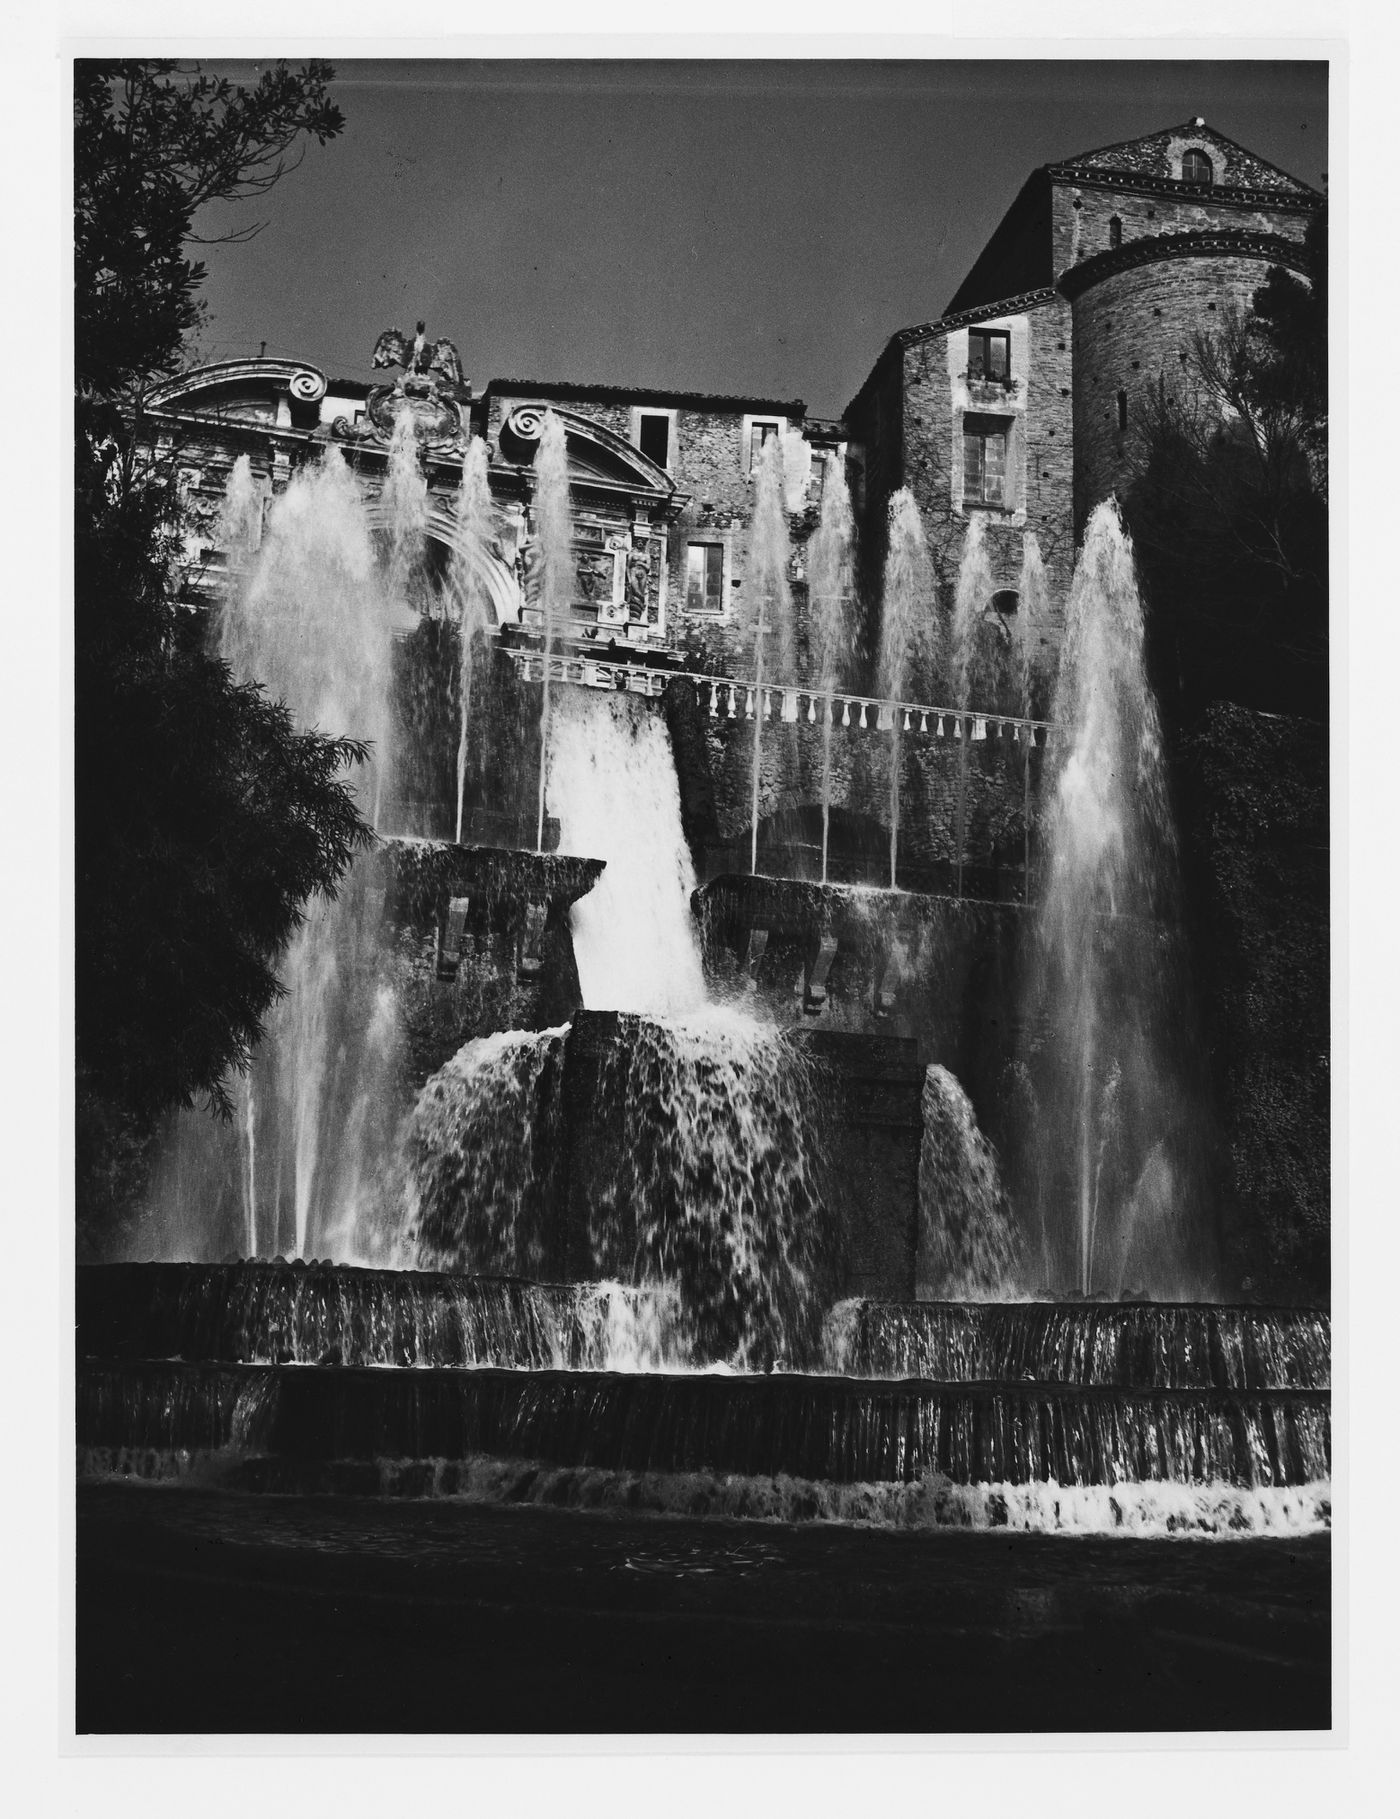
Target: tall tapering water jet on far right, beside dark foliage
<point x="1105" y="967"/>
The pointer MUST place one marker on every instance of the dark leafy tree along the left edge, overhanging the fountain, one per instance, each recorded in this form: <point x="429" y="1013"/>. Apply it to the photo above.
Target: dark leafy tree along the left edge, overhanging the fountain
<point x="205" y="818"/>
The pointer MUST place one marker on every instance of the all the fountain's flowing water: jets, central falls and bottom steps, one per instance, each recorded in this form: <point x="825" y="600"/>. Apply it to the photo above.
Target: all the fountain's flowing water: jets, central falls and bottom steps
<point x="679" y="1147"/>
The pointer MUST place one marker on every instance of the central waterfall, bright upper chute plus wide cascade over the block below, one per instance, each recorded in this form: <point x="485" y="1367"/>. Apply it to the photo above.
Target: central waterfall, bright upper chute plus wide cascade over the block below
<point x="703" y="1165"/>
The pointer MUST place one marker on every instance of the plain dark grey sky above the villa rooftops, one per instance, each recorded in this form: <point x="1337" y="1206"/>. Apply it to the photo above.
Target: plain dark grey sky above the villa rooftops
<point x="714" y="226"/>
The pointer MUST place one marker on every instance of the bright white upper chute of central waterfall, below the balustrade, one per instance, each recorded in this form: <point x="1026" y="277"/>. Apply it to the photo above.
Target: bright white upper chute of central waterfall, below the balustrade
<point x="614" y="787"/>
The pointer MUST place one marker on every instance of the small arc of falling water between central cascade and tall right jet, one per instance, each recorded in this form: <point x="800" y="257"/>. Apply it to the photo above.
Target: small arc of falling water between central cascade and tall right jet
<point x="966" y="1236"/>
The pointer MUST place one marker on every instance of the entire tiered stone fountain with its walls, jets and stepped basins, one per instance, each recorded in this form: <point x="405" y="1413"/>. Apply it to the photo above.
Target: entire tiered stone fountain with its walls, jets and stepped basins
<point x="595" y="1167"/>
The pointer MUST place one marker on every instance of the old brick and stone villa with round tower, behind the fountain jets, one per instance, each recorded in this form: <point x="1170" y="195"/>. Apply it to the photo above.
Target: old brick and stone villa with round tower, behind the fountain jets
<point x="1015" y="407"/>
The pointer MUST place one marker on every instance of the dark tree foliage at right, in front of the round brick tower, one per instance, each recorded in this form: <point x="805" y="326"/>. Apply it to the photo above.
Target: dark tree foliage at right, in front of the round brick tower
<point x="1230" y="507"/>
